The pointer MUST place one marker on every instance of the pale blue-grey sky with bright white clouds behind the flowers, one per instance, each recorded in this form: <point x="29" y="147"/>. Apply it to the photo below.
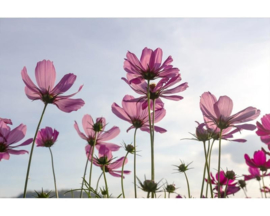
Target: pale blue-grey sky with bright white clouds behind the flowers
<point x="225" y="56"/>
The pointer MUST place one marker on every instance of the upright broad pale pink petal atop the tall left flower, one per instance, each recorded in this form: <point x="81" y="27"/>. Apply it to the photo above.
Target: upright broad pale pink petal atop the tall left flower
<point x="45" y="75"/>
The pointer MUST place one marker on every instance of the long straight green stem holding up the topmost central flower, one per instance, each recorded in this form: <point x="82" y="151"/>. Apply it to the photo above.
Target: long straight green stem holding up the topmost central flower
<point x="151" y="135"/>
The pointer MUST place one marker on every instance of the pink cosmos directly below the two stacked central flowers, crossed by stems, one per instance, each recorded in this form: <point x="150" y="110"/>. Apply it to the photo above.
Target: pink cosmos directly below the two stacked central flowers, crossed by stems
<point x="133" y="113"/>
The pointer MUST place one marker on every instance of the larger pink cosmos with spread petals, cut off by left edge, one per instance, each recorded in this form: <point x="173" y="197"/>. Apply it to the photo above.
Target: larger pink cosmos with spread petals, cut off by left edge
<point x="9" y="137"/>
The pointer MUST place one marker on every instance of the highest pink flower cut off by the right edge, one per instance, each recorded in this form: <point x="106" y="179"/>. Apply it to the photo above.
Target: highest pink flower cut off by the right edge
<point x="264" y="129"/>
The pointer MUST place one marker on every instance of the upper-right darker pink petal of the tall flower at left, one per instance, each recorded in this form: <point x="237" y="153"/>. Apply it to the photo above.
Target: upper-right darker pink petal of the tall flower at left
<point x="64" y="84"/>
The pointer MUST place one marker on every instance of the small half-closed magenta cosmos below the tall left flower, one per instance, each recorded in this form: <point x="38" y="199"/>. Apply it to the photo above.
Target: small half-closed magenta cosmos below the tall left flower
<point x="46" y="137"/>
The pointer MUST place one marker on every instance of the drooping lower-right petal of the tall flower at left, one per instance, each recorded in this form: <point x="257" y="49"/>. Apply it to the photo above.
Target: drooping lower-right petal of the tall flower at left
<point x="69" y="105"/>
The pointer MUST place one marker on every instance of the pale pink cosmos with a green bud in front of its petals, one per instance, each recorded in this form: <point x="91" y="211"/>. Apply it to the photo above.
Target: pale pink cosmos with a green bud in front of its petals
<point x="90" y="128"/>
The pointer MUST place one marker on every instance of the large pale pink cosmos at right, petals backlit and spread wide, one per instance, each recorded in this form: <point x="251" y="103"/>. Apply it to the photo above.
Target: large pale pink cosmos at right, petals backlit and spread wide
<point x="217" y="114"/>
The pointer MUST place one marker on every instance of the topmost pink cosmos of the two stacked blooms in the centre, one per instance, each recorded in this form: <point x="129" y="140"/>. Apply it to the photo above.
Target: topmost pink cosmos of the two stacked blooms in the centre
<point x="149" y="67"/>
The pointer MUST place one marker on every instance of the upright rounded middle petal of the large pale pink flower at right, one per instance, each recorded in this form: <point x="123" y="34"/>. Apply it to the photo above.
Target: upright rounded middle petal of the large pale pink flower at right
<point x="223" y="107"/>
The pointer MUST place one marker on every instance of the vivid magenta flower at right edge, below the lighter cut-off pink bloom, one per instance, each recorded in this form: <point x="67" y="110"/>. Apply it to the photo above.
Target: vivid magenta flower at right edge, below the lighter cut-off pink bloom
<point x="259" y="161"/>
